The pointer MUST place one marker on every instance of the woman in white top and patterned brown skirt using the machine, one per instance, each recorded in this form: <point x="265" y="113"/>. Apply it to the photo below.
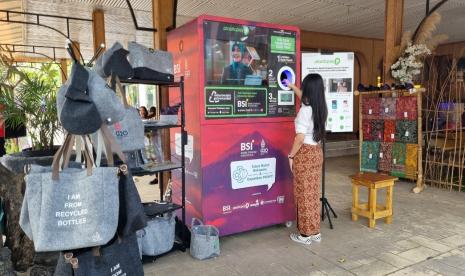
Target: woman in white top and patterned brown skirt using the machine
<point x="306" y="157"/>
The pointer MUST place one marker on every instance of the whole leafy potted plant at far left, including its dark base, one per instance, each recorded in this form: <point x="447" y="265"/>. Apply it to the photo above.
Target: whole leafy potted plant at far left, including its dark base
<point x="28" y="98"/>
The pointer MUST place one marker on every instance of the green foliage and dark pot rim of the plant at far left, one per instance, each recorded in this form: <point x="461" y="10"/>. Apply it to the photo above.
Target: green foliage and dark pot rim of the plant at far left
<point x="28" y="97"/>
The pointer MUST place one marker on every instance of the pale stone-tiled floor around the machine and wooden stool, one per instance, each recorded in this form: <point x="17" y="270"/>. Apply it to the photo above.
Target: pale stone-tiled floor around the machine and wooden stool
<point x="427" y="237"/>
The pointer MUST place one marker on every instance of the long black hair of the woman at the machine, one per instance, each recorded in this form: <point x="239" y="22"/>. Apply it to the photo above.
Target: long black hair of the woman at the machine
<point x="313" y="94"/>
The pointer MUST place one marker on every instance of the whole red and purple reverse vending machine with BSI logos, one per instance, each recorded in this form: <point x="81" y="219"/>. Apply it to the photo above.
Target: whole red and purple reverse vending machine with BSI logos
<point x="239" y="120"/>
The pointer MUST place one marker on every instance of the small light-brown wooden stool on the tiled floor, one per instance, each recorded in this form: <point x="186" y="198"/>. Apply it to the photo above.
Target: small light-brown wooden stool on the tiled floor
<point x="371" y="210"/>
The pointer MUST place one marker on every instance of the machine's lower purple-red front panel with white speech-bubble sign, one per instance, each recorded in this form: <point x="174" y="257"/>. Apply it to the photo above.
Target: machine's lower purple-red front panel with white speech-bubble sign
<point x="248" y="183"/>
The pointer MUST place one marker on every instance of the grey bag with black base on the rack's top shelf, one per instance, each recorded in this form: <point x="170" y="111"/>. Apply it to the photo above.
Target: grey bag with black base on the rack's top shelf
<point x="150" y="64"/>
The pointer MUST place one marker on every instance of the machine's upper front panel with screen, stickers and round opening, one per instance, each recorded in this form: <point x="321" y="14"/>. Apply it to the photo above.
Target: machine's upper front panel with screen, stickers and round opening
<point x="245" y="69"/>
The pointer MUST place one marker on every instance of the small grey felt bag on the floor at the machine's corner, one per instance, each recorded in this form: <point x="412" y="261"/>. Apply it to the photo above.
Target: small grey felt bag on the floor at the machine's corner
<point x="205" y="240"/>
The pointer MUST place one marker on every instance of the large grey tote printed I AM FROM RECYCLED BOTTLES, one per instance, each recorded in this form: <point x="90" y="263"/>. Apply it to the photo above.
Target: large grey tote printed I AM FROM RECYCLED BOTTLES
<point x="74" y="208"/>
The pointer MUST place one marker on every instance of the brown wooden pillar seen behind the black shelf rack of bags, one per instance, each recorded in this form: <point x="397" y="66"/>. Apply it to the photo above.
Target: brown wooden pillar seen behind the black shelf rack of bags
<point x="162" y="18"/>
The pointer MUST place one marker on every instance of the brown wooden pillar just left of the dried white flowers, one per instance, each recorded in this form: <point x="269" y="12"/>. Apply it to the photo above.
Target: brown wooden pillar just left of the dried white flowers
<point x="394" y="14"/>
